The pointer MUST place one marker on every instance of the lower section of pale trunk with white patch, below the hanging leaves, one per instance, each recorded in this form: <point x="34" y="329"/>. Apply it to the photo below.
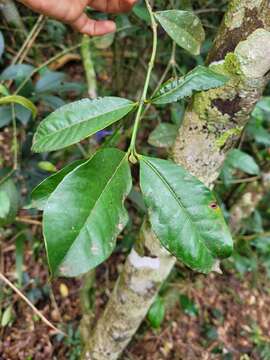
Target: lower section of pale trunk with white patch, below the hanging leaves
<point x="133" y="294"/>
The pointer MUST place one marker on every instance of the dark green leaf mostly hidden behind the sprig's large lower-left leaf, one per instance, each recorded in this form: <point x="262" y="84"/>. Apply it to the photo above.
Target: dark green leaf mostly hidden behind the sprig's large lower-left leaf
<point x="42" y="192"/>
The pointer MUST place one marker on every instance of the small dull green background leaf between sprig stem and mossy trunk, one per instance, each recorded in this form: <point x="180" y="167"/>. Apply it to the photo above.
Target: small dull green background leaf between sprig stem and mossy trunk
<point x="164" y="135"/>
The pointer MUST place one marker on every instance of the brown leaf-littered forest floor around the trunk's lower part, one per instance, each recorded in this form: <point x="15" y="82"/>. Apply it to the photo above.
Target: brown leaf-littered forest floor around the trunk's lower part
<point x="228" y="316"/>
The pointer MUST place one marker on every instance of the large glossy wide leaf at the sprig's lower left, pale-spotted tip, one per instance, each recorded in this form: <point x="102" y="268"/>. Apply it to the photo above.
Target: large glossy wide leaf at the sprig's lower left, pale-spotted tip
<point x="85" y="213"/>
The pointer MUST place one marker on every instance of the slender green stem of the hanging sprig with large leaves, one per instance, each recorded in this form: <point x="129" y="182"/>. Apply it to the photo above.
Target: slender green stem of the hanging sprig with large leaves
<point x="132" y="147"/>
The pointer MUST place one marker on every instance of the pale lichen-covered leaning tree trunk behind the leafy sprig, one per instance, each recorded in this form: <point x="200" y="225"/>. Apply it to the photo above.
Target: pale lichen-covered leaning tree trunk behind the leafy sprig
<point x="212" y="126"/>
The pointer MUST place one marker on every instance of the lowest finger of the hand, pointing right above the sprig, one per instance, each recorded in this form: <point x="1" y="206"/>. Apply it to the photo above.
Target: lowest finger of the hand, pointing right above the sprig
<point x="92" y="27"/>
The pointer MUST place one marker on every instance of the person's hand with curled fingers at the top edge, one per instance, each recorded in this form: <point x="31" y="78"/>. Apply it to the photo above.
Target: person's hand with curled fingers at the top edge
<point x="72" y="12"/>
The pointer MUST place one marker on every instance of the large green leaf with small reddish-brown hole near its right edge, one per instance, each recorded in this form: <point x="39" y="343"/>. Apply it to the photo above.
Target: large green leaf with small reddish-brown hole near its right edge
<point x="184" y="214"/>
